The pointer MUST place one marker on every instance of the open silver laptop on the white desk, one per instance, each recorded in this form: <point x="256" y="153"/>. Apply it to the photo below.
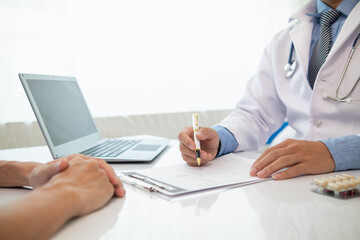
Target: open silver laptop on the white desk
<point x="68" y="126"/>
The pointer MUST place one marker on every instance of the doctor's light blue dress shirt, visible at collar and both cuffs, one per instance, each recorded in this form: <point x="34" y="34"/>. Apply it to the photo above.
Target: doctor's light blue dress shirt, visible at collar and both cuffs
<point x="344" y="150"/>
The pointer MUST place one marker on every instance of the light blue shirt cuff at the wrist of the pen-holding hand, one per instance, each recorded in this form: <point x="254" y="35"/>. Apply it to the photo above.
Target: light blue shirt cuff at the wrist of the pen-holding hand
<point x="228" y="142"/>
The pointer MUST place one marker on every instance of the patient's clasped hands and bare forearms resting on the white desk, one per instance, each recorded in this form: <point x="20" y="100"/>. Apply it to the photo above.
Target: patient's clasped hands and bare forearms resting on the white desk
<point x="64" y="188"/>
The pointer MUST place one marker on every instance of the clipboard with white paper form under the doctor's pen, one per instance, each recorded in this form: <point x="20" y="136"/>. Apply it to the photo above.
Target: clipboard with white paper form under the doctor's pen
<point x="227" y="170"/>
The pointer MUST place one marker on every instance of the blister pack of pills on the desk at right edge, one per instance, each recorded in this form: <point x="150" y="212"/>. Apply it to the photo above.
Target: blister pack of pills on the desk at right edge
<point x="340" y="186"/>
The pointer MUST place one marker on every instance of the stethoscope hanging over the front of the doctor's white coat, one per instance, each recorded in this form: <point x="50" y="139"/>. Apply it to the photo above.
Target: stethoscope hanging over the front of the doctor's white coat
<point x="291" y="65"/>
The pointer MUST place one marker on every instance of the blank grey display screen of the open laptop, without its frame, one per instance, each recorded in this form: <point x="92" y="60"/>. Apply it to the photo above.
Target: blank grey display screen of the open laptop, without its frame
<point x="63" y="109"/>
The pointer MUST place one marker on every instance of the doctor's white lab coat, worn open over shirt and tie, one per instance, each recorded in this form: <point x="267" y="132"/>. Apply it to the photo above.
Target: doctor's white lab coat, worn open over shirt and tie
<point x="270" y="97"/>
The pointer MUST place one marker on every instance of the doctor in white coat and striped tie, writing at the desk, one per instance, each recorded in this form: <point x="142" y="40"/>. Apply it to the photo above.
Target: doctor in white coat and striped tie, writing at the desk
<point x="326" y="120"/>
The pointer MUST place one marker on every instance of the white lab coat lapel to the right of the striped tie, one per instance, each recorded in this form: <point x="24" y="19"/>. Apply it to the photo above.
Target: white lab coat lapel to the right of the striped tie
<point x="351" y="23"/>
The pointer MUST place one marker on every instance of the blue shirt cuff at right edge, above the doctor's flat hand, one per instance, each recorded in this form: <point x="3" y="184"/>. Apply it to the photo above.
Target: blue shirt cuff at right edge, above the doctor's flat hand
<point x="345" y="151"/>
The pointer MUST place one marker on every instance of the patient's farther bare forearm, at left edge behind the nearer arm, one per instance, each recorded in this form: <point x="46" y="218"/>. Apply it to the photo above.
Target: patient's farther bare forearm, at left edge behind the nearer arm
<point x="14" y="174"/>
